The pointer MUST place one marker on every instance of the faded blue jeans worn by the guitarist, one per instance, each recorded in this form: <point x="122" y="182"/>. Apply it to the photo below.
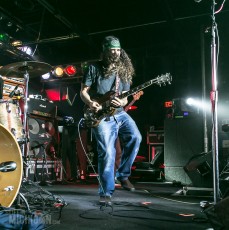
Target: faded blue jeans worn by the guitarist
<point x="106" y="133"/>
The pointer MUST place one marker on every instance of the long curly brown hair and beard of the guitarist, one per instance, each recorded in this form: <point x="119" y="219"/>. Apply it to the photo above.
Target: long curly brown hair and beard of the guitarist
<point x="122" y="66"/>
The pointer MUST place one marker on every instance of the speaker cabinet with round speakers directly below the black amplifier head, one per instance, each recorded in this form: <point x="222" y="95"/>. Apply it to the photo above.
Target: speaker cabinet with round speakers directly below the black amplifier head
<point x="43" y="136"/>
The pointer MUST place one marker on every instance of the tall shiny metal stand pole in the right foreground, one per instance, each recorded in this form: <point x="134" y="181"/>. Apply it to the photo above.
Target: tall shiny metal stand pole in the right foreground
<point x="214" y="103"/>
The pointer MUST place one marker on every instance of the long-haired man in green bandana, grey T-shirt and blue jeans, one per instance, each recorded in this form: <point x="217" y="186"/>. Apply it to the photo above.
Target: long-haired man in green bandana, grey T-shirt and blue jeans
<point x="113" y="73"/>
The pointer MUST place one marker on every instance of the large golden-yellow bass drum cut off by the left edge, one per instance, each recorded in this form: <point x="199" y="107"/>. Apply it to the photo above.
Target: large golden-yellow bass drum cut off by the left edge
<point x="10" y="182"/>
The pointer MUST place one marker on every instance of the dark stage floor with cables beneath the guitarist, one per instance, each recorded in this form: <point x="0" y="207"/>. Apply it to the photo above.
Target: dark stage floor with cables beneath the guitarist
<point x="153" y="205"/>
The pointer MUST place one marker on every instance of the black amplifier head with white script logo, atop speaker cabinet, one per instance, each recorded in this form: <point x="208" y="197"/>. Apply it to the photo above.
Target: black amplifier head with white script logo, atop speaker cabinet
<point x="41" y="107"/>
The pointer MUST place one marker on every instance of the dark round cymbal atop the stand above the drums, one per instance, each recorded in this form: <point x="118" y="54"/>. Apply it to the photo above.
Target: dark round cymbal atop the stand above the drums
<point x="18" y="69"/>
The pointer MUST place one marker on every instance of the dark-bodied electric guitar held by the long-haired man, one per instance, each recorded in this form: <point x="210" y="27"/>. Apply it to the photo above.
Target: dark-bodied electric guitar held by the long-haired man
<point x="92" y="118"/>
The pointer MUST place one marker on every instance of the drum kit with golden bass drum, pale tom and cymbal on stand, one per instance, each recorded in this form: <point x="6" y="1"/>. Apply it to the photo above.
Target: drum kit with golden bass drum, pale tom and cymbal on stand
<point x="13" y="130"/>
